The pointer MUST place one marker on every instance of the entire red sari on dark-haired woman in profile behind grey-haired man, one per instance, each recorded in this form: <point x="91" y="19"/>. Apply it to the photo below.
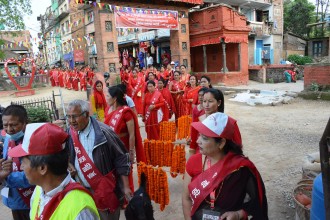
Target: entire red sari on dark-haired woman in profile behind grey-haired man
<point x="117" y="121"/>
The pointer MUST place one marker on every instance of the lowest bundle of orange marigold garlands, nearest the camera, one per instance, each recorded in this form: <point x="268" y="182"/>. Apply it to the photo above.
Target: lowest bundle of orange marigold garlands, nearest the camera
<point x="157" y="184"/>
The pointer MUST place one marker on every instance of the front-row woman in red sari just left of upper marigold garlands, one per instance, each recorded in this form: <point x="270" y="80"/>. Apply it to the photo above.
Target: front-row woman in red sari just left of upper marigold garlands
<point x="152" y="111"/>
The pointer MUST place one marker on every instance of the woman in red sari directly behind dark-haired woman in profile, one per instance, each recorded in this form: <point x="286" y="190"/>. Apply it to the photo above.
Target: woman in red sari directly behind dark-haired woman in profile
<point x="137" y="85"/>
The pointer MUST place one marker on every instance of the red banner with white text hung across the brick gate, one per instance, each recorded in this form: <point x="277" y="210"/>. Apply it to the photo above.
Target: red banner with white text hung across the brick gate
<point x="146" y="18"/>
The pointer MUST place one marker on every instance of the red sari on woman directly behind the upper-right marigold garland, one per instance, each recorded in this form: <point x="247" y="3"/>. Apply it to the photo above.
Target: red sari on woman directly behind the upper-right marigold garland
<point x="178" y="98"/>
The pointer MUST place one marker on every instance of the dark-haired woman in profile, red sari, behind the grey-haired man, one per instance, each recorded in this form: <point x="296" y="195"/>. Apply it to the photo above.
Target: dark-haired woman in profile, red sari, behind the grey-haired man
<point x="125" y="124"/>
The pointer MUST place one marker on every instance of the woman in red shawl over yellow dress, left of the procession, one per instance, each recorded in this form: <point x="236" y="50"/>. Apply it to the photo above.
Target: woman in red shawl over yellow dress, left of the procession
<point x="98" y="102"/>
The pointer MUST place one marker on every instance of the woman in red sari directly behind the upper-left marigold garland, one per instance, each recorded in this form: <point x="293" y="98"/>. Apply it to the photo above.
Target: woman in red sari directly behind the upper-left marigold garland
<point x="169" y="107"/>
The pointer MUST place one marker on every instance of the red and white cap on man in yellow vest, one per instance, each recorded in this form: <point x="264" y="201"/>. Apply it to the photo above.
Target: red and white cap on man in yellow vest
<point x="40" y="139"/>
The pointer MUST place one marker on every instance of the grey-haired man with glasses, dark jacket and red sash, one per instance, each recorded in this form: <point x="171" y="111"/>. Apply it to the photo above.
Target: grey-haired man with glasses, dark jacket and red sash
<point x="100" y="158"/>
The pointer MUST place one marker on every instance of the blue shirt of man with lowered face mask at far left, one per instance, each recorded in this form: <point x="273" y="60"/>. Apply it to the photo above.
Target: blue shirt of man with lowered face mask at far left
<point x="13" y="181"/>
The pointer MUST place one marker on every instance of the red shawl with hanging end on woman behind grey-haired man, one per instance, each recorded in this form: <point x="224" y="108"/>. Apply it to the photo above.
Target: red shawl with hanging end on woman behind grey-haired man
<point x="113" y="120"/>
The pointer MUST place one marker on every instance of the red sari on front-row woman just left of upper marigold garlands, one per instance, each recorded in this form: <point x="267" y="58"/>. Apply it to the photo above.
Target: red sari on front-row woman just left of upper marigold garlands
<point x="151" y="116"/>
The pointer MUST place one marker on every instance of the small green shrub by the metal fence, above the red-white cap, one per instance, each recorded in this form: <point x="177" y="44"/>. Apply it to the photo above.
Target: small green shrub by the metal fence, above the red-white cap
<point x="38" y="114"/>
